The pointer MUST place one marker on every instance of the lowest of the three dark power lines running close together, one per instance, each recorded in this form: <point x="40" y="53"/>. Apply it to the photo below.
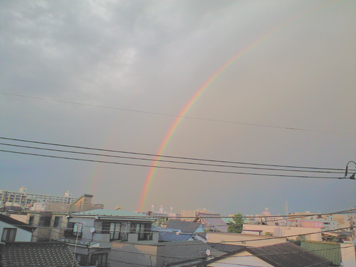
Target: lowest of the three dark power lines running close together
<point x="171" y="168"/>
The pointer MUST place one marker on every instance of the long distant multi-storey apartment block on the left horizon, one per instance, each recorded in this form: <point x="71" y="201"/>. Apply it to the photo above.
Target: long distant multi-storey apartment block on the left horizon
<point x="24" y="199"/>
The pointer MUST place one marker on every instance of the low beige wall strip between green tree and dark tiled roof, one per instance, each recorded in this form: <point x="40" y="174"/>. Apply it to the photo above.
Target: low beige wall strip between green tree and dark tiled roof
<point x="243" y="240"/>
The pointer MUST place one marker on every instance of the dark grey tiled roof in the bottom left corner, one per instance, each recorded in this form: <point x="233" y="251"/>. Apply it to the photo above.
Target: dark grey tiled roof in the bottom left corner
<point x="41" y="254"/>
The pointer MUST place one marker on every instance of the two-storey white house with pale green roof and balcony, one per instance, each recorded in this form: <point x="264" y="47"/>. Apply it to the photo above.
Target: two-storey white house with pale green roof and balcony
<point x="90" y="234"/>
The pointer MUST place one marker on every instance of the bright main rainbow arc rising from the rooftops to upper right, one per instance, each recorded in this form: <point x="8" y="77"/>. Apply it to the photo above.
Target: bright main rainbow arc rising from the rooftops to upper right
<point x="202" y="89"/>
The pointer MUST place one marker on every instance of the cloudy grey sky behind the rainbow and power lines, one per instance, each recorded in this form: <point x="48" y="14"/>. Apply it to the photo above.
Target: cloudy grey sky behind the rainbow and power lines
<point x="116" y="74"/>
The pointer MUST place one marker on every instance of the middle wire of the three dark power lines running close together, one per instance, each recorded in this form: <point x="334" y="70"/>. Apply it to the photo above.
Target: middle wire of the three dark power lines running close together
<point x="170" y="161"/>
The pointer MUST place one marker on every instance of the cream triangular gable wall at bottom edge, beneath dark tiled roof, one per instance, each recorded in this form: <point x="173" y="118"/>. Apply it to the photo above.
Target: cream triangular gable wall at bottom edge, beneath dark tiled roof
<point x="242" y="259"/>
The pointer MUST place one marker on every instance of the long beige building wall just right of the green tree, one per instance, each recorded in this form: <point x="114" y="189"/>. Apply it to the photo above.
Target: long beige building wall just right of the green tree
<point x="285" y="231"/>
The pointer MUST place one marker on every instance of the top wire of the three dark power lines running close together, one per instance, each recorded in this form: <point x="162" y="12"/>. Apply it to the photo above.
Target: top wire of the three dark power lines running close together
<point x="168" y="156"/>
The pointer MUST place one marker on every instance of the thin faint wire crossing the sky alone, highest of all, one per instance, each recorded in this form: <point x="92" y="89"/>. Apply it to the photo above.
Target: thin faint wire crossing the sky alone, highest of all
<point x="177" y="116"/>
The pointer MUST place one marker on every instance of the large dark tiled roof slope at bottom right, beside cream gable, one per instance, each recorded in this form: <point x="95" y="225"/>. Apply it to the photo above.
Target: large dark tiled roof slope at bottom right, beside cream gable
<point x="288" y="254"/>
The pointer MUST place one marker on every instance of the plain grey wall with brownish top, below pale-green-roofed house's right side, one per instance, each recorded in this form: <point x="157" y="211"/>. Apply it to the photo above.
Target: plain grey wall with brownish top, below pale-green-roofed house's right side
<point x="128" y="255"/>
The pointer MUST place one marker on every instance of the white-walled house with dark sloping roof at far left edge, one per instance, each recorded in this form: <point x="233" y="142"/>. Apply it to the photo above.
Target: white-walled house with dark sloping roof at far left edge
<point x="14" y="231"/>
